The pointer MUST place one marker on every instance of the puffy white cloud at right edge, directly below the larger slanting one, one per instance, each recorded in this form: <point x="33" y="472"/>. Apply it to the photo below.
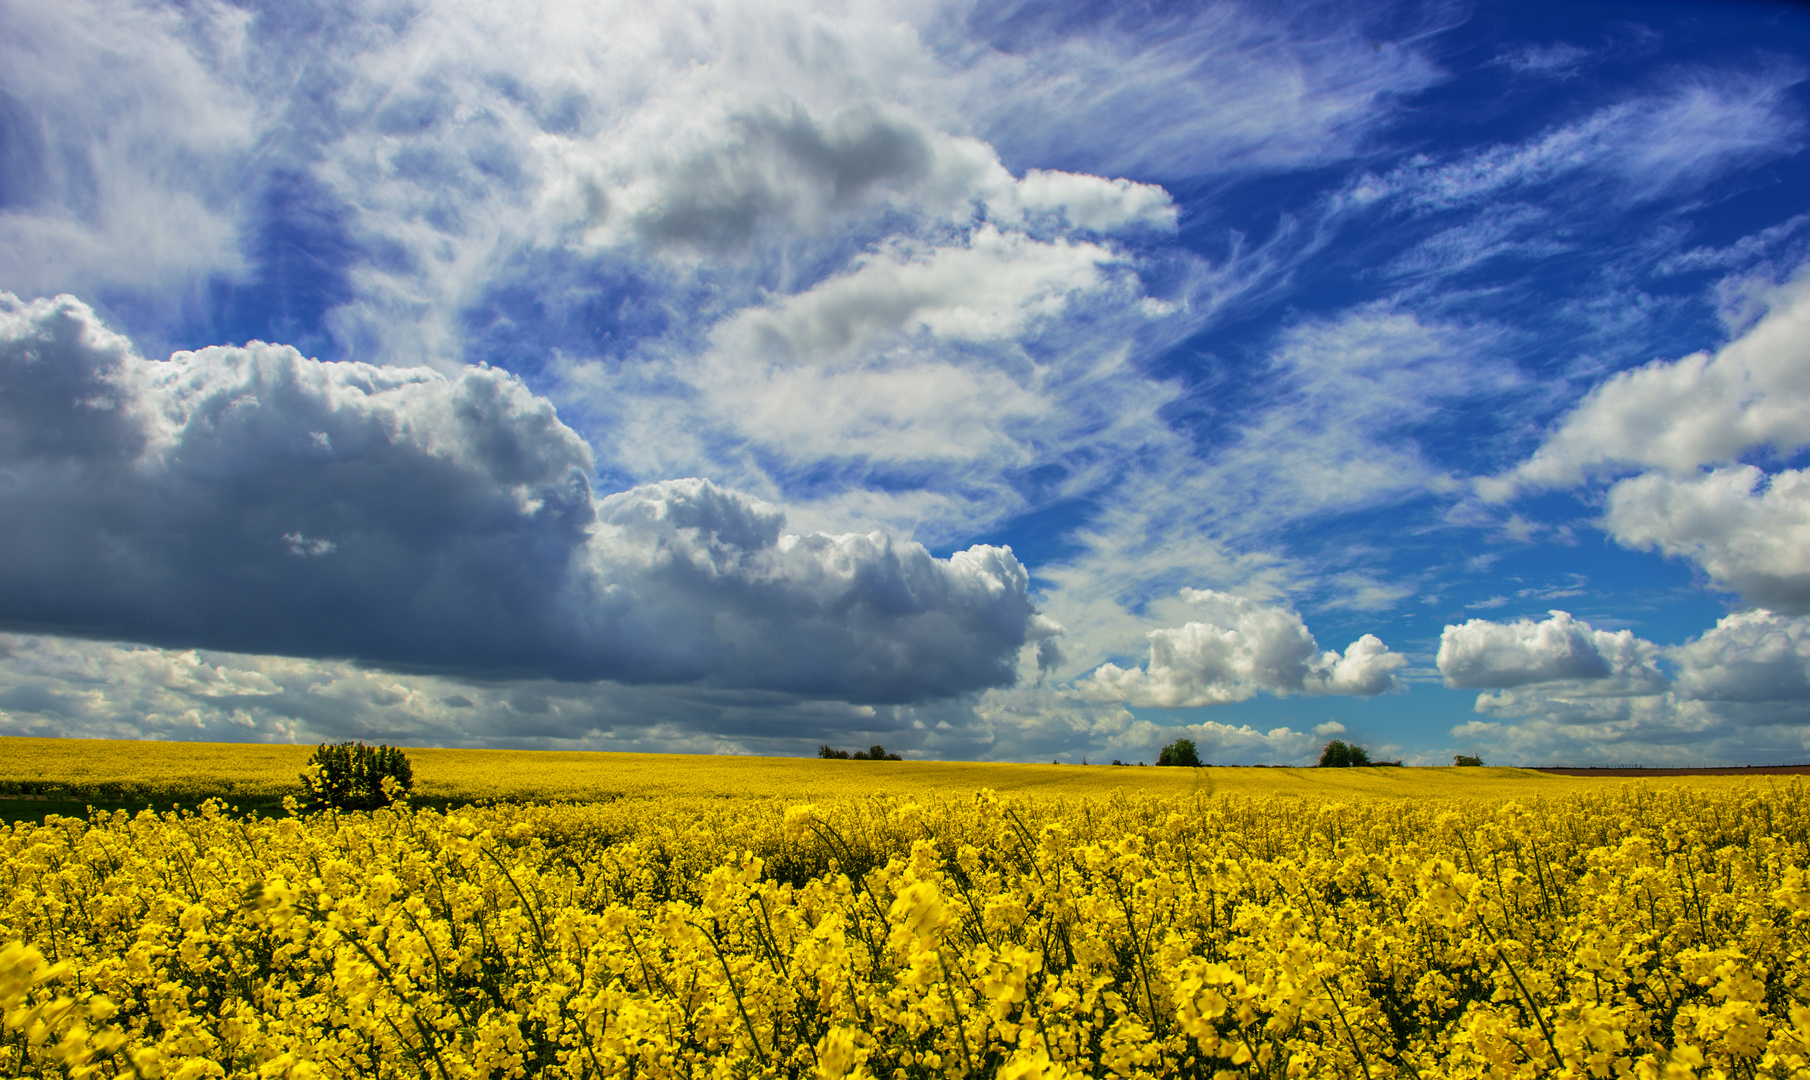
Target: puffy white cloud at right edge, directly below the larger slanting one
<point x="1748" y="531"/>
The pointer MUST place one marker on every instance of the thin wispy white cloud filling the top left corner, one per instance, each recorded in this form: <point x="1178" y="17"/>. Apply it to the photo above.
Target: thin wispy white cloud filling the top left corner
<point x="124" y="133"/>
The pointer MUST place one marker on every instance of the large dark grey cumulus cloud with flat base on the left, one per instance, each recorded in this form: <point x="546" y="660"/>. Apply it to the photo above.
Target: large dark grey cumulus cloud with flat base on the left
<point x="254" y="500"/>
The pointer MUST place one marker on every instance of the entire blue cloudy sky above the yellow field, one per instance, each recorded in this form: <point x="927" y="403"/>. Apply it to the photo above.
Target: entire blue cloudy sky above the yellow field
<point x="982" y="381"/>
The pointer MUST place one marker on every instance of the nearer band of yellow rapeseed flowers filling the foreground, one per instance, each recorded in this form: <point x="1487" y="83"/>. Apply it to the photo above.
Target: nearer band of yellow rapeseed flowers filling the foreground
<point x="1634" y="933"/>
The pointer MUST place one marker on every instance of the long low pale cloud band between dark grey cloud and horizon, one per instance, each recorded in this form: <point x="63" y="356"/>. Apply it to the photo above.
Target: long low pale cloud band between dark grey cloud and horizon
<point x="57" y="687"/>
